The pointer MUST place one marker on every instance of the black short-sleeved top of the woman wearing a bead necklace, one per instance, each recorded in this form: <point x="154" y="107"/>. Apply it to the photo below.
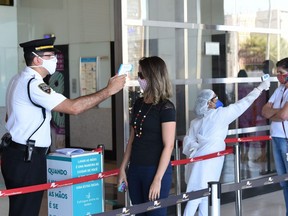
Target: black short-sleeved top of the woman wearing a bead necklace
<point x="147" y="148"/>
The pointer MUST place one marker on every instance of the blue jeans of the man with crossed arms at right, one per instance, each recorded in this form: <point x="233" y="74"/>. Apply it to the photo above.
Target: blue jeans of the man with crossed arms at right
<point x="280" y="148"/>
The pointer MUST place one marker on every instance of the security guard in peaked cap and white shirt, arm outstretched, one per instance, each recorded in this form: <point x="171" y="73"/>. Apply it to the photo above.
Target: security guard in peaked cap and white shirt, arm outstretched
<point x="29" y="102"/>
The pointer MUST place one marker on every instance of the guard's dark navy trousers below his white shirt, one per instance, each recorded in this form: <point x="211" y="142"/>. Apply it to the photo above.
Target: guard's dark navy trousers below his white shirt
<point x="18" y="173"/>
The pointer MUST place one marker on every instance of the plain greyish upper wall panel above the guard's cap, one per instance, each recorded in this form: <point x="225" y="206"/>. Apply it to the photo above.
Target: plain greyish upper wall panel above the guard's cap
<point x="72" y="21"/>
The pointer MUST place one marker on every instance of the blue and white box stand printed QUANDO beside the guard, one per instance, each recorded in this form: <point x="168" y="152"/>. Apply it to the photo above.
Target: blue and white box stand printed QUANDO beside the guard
<point x="79" y="199"/>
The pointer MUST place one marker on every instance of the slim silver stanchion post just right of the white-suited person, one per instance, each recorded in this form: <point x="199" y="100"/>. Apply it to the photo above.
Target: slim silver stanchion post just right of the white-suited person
<point x="237" y="177"/>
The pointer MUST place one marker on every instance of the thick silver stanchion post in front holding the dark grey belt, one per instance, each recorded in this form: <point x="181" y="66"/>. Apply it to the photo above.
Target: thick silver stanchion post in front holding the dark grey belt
<point x="214" y="198"/>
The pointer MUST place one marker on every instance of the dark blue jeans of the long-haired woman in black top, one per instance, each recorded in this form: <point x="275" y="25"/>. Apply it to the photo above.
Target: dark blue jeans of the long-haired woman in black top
<point x="140" y="179"/>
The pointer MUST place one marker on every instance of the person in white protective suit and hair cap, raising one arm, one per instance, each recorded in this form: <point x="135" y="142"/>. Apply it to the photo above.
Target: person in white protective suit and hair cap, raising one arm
<point x="207" y="135"/>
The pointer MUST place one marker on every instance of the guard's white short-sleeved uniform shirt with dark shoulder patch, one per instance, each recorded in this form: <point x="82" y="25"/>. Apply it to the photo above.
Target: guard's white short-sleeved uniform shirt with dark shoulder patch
<point x="24" y="117"/>
